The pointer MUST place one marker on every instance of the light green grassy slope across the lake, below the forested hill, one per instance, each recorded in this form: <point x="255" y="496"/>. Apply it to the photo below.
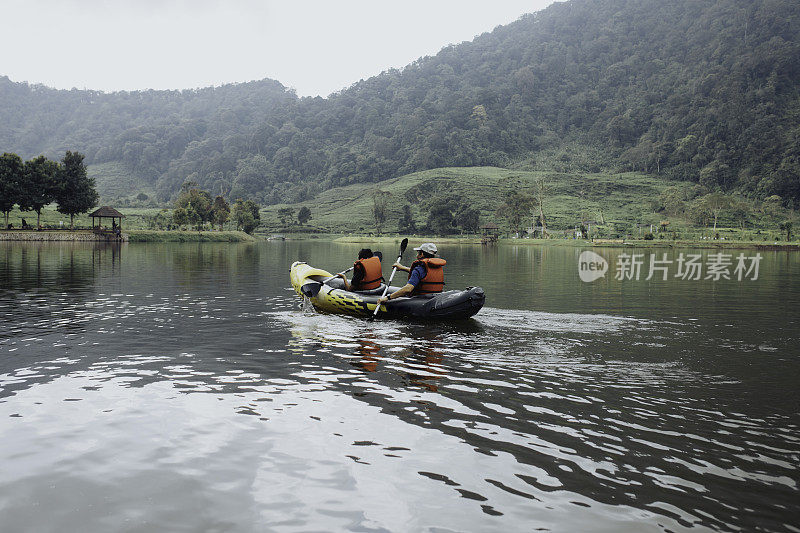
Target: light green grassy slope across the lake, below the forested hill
<point x="613" y="205"/>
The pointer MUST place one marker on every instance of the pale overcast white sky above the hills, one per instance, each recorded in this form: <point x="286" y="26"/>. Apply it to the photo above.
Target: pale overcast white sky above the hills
<point x="316" y="47"/>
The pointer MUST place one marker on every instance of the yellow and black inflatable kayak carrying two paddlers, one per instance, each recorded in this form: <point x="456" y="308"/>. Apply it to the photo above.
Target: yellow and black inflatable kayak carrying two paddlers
<point x="326" y="293"/>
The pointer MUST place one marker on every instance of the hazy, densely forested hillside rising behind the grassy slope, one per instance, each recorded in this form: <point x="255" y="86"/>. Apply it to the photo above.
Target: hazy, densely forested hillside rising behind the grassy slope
<point x="703" y="91"/>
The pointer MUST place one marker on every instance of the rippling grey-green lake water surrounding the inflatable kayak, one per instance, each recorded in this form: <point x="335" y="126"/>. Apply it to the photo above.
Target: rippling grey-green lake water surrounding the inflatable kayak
<point x="180" y="387"/>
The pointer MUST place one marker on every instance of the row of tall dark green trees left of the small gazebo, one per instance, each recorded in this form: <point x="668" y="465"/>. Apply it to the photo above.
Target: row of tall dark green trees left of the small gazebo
<point x="31" y="185"/>
